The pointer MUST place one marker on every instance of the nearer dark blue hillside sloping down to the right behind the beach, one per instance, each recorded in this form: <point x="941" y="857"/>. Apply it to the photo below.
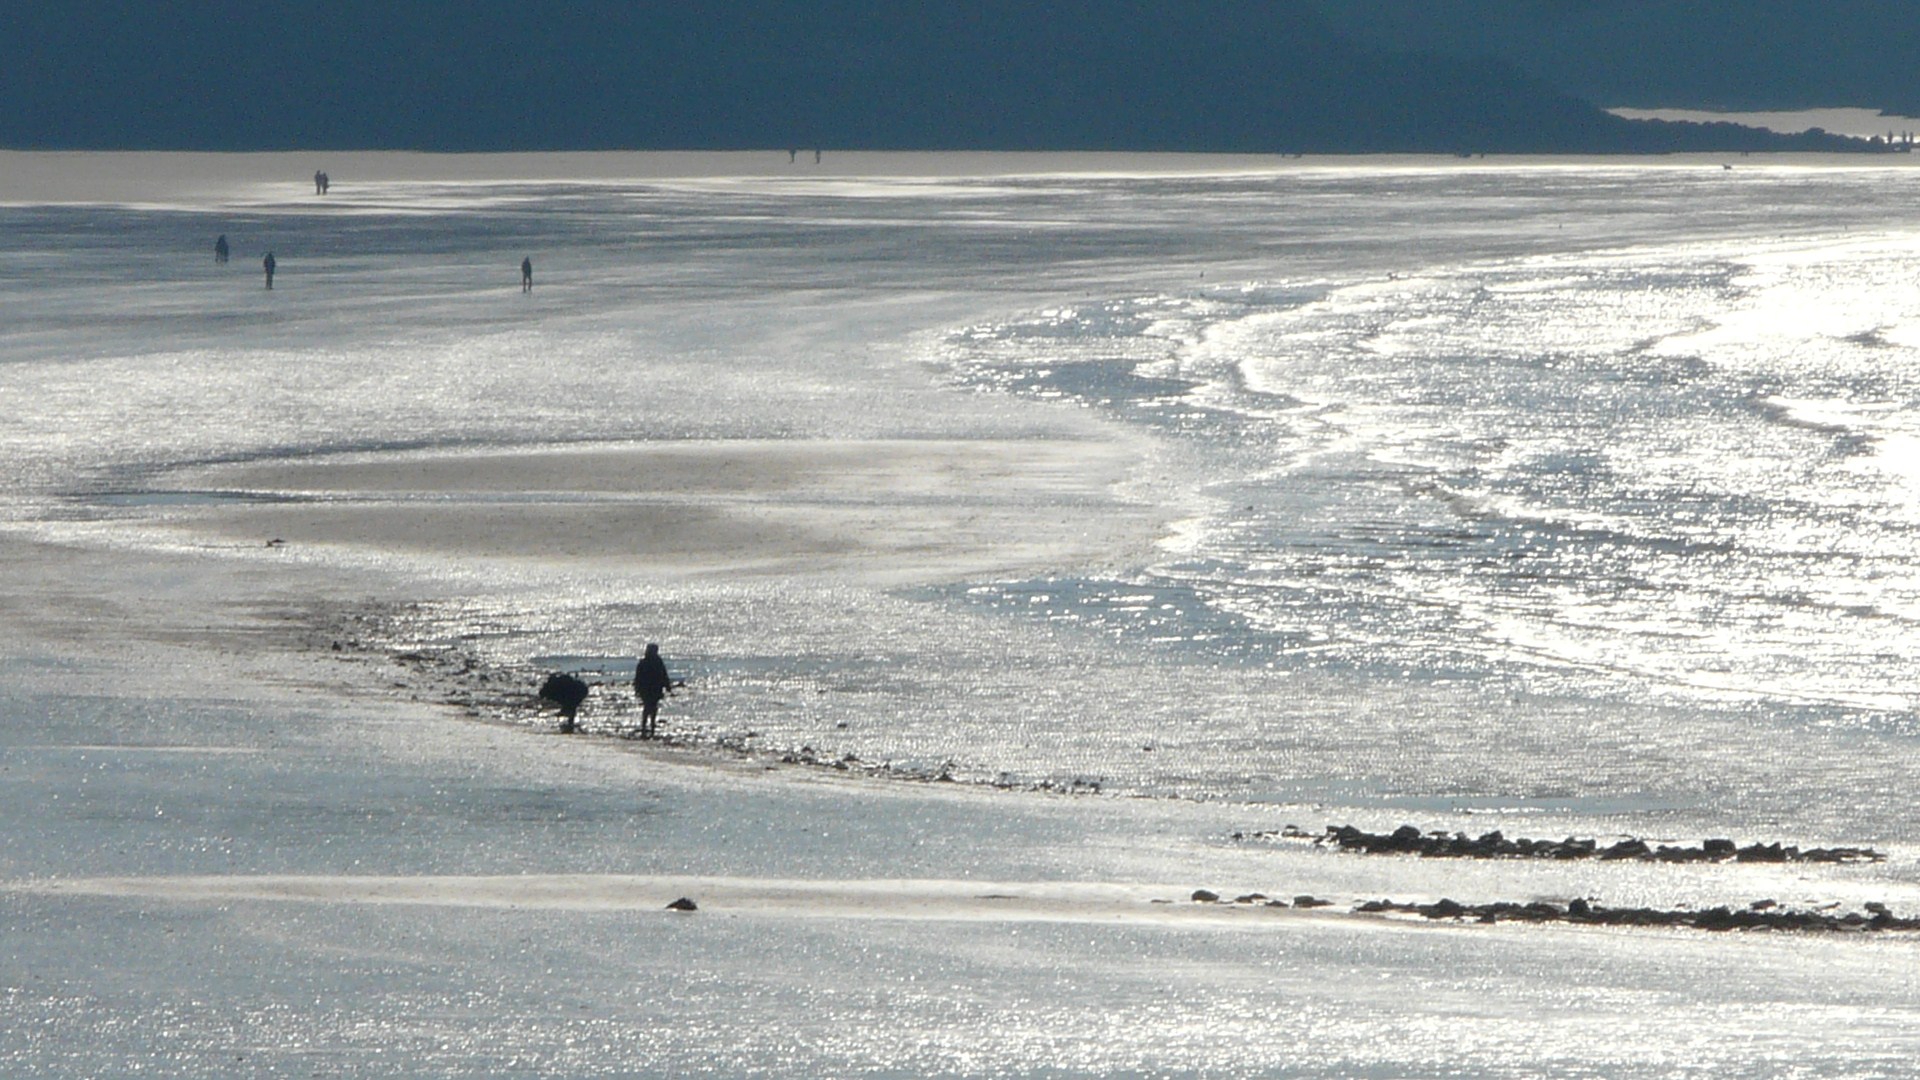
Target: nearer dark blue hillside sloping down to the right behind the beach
<point x="1262" y="76"/>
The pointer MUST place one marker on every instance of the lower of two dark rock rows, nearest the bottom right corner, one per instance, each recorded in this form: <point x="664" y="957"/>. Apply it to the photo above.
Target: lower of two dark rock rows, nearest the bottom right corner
<point x="1760" y="916"/>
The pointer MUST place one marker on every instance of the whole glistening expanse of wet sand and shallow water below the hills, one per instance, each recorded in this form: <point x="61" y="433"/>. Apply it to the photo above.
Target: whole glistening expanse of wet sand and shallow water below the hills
<point x="1030" y="531"/>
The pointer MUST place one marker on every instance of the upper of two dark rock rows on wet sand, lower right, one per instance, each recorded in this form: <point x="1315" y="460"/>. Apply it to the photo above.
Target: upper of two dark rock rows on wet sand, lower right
<point x="1441" y="845"/>
